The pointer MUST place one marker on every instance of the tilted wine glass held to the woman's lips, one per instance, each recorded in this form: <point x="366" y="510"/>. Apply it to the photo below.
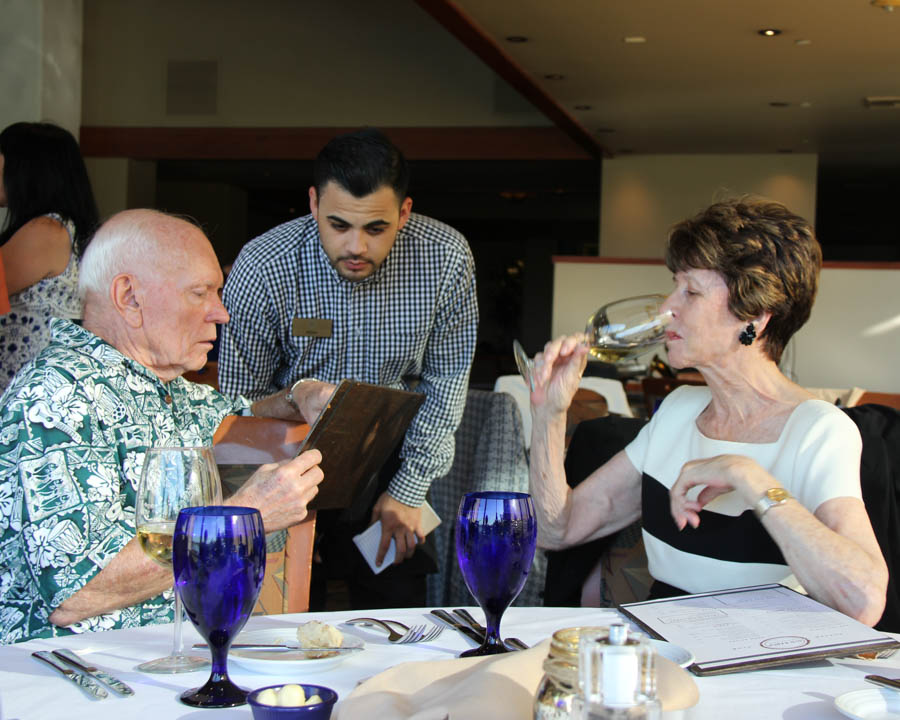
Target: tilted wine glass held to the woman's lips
<point x="619" y="330"/>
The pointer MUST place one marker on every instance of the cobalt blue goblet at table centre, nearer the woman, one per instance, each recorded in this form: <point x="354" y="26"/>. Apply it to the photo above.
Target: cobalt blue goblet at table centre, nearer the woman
<point x="496" y="533"/>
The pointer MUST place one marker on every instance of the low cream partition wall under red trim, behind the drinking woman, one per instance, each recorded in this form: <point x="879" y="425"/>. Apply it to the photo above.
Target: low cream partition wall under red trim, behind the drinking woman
<point x="851" y="340"/>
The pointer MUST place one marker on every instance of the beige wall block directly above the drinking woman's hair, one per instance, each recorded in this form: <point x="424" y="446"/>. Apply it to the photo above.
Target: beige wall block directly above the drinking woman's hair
<point x="642" y="196"/>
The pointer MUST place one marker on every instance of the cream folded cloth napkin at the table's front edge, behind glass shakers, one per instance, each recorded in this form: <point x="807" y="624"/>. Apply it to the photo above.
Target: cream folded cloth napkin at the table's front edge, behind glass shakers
<point x="500" y="687"/>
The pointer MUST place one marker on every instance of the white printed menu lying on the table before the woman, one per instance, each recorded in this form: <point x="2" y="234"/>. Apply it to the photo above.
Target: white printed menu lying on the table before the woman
<point x="754" y="627"/>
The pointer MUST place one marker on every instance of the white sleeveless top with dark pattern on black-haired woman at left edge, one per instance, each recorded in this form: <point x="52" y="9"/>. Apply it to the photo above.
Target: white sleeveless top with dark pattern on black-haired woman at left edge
<point x="25" y="330"/>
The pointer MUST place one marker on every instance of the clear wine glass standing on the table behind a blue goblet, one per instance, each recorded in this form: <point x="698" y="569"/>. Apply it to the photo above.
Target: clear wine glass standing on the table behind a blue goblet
<point x="173" y="478"/>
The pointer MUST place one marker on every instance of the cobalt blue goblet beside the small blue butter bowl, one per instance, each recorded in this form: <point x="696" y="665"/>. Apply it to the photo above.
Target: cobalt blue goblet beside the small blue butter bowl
<point x="219" y="559"/>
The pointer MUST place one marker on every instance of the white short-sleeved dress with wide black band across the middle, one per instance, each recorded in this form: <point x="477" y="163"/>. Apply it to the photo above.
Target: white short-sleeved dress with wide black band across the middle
<point x="816" y="458"/>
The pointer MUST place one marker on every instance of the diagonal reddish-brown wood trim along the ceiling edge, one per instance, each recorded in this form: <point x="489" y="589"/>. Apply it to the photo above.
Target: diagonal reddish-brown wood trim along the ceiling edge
<point x="464" y="28"/>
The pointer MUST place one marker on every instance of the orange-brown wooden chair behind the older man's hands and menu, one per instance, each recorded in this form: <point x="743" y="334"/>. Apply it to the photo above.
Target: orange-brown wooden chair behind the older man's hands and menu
<point x="240" y="445"/>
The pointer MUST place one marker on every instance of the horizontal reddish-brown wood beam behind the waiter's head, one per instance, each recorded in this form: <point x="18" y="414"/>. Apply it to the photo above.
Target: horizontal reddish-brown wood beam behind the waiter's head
<point x="304" y="143"/>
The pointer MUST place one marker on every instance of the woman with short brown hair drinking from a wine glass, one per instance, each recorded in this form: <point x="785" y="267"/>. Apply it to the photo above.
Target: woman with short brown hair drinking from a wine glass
<point x="746" y="480"/>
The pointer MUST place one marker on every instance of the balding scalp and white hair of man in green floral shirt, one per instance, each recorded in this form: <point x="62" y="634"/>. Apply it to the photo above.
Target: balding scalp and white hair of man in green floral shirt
<point x="145" y="243"/>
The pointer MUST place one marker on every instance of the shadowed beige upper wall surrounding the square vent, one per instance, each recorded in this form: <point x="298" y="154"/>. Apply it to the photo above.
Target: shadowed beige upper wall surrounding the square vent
<point x="290" y="63"/>
